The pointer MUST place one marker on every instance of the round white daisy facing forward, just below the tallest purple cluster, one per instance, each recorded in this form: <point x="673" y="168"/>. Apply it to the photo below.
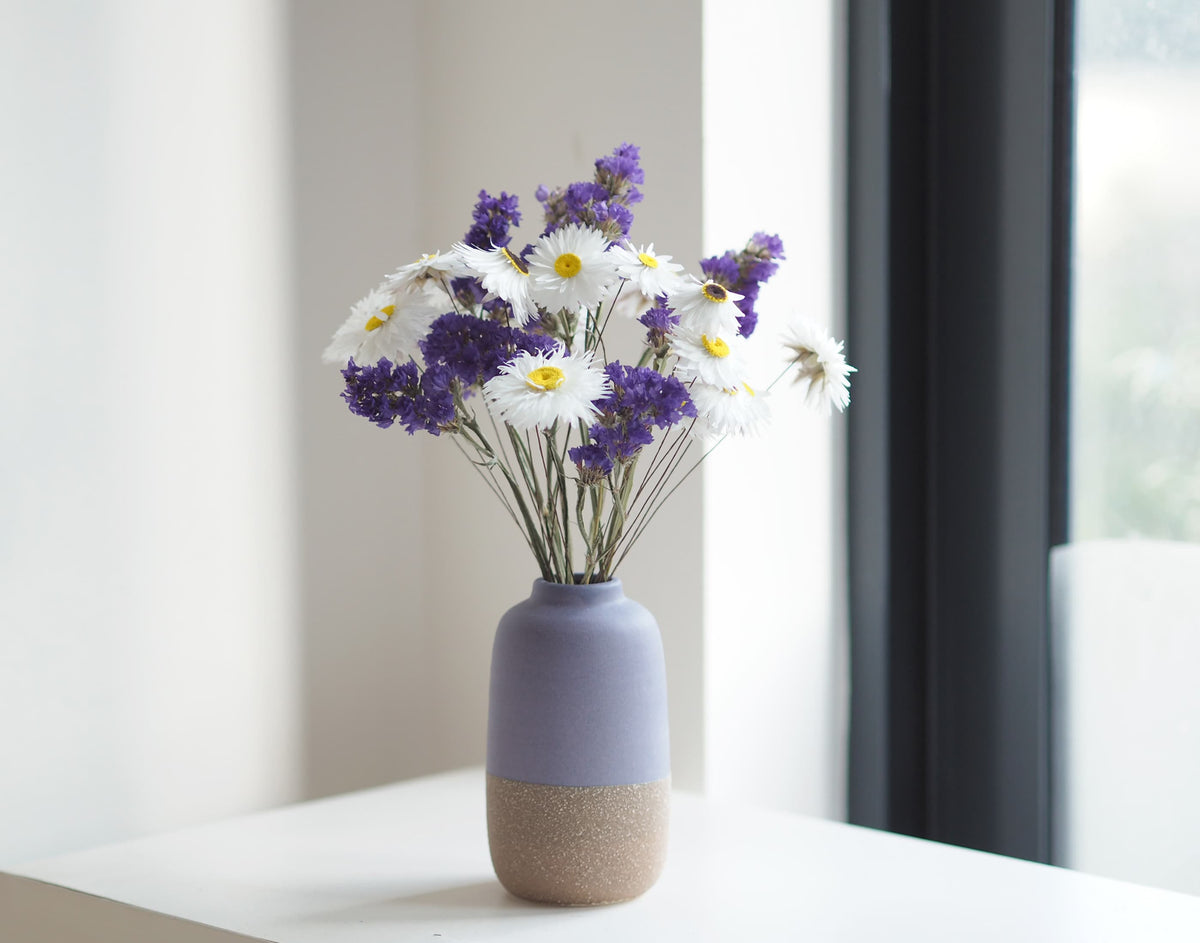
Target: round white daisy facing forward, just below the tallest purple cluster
<point x="571" y="269"/>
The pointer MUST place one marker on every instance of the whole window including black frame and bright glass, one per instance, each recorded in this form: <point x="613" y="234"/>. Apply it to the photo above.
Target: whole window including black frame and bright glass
<point x="1023" y="302"/>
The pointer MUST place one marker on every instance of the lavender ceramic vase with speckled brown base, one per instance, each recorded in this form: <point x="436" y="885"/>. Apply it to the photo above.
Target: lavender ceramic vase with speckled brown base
<point x="579" y="770"/>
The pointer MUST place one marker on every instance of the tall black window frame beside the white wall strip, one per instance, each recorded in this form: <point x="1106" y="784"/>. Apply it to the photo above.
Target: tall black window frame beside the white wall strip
<point x="958" y="195"/>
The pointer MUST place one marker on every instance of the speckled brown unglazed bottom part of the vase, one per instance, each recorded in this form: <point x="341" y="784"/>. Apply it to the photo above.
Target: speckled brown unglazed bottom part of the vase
<point x="578" y="845"/>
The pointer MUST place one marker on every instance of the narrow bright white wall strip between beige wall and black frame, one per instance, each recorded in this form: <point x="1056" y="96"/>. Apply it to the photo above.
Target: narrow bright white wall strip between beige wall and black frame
<point x="776" y="675"/>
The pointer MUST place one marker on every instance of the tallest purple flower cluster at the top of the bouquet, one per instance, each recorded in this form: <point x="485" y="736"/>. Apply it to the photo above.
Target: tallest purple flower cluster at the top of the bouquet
<point x="602" y="203"/>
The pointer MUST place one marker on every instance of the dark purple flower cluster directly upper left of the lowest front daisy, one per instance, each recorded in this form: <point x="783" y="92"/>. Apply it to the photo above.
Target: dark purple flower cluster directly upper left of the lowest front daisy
<point x="473" y="350"/>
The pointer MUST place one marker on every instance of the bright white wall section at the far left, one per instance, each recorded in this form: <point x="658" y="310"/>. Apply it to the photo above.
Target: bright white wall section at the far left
<point x="146" y="575"/>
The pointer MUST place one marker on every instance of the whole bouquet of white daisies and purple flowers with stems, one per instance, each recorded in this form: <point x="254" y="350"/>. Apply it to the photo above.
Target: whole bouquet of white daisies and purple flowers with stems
<point x="506" y="353"/>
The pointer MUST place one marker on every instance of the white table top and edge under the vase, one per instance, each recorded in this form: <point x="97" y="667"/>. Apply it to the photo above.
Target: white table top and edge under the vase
<point x="410" y="863"/>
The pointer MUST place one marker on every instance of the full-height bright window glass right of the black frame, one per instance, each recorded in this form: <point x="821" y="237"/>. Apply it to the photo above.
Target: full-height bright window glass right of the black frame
<point x="1126" y="617"/>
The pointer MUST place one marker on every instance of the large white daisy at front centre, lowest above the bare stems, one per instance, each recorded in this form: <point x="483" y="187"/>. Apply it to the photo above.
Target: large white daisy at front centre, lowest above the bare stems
<point x="536" y="391"/>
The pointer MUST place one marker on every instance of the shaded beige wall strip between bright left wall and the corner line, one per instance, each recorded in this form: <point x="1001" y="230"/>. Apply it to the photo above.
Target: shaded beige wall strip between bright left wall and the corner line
<point x="357" y="139"/>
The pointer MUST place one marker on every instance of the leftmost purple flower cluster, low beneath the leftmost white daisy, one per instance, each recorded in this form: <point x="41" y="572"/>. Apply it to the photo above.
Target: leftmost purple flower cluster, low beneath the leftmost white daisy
<point x="388" y="393"/>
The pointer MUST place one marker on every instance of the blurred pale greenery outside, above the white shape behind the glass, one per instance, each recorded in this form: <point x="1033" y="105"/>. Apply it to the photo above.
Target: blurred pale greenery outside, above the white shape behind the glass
<point x="1136" y="335"/>
